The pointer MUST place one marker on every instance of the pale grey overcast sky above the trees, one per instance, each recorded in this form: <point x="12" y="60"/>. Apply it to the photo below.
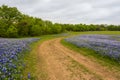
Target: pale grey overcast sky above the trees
<point x="70" y="11"/>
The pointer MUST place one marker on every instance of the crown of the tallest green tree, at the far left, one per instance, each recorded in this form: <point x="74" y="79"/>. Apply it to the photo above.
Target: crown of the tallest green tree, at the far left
<point x="10" y="14"/>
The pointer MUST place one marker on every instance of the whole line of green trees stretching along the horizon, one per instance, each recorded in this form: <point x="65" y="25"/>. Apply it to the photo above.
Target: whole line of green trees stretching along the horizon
<point x="15" y="24"/>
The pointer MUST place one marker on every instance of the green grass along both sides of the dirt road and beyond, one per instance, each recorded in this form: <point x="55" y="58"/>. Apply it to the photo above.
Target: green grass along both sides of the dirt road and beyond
<point x="31" y="59"/>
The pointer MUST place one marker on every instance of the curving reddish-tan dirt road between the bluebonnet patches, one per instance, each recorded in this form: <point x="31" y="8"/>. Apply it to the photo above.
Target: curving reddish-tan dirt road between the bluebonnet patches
<point x="60" y="63"/>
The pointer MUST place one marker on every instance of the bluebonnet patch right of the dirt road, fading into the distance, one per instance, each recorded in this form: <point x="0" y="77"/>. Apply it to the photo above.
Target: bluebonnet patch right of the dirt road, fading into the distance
<point x="106" y="45"/>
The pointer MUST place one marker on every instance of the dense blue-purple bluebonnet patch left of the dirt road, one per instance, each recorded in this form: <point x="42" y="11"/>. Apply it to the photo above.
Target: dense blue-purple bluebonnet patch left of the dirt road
<point x="11" y="54"/>
